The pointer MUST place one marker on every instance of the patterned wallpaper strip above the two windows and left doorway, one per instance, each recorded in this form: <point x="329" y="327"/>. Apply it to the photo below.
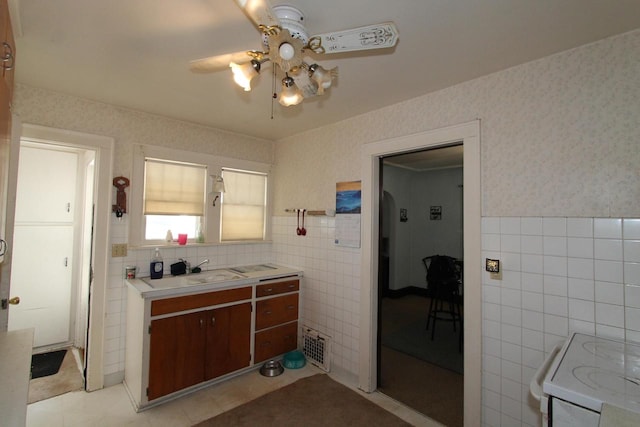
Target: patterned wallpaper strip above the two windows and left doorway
<point x="127" y="127"/>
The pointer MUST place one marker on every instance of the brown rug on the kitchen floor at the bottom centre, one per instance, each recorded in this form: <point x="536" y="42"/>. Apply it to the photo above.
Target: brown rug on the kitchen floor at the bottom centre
<point x="313" y="401"/>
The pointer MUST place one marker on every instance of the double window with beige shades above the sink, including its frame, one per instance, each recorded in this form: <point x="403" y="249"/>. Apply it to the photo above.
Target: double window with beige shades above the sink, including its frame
<point x="172" y="190"/>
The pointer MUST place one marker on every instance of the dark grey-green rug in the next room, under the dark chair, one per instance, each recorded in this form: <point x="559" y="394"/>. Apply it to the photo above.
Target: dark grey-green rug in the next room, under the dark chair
<point x="413" y="339"/>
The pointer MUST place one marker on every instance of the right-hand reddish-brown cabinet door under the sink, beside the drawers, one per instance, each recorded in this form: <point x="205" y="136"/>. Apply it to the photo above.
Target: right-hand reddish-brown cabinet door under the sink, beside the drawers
<point x="228" y="340"/>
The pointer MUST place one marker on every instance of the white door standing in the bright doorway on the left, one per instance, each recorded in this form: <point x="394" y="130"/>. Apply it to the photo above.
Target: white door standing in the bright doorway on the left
<point x="42" y="261"/>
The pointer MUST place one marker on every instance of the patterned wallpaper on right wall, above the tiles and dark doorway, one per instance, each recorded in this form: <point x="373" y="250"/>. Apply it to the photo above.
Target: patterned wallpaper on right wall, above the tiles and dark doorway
<point x="560" y="136"/>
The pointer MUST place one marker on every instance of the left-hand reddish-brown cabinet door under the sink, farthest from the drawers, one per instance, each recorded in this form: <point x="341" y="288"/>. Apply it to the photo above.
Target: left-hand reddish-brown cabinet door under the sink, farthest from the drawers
<point x="177" y="348"/>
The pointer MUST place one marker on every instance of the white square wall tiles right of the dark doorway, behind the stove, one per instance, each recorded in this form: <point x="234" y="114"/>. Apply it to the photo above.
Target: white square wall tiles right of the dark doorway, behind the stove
<point x="560" y="275"/>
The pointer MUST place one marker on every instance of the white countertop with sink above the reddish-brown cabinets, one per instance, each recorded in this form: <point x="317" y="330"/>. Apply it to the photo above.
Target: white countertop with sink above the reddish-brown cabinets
<point x="246" y="275"/>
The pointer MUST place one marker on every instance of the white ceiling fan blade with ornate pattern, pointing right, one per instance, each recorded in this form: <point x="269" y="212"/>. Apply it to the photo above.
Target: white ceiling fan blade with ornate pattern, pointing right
<point x="374" y="36"/>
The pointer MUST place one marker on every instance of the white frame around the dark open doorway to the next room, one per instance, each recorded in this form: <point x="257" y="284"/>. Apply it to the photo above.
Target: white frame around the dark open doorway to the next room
<point x="469" y="135"/>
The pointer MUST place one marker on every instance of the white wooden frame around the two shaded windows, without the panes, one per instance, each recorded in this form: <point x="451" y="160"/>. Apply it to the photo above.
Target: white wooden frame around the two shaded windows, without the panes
<point x="212" y="217"/>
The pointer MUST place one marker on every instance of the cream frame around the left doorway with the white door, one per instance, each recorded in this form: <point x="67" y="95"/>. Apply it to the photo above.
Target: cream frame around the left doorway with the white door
<point x="103" y="147"/>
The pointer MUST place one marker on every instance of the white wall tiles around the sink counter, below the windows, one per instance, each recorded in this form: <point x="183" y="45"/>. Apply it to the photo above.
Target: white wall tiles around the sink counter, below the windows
<point x="331" y="293"/>
